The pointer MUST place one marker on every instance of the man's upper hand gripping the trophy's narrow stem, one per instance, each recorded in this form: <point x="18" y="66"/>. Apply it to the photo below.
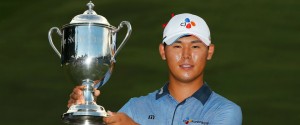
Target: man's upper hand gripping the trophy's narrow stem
<point x="76" y="97"/>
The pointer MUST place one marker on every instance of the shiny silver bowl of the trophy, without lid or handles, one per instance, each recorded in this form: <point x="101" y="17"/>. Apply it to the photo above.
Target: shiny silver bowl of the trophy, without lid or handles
<point x="87" y="52"/>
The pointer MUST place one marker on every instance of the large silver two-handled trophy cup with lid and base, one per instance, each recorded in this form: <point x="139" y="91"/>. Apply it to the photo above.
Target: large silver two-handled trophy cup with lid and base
<point x="88" y="51"/>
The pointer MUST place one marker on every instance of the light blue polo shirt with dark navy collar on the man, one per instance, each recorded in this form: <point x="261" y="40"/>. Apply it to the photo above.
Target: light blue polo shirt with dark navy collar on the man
<point x="204" y="107"/>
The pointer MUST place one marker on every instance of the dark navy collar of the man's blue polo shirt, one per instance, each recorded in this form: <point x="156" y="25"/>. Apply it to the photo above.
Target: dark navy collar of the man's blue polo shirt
<point x="201" y="94"/>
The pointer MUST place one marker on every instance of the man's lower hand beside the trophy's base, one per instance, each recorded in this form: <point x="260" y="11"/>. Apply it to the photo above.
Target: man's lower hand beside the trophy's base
<point x="118" y="119"/>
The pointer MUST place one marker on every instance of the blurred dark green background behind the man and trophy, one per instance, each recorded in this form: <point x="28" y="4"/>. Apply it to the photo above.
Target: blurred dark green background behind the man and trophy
<point x="256" y="62"/>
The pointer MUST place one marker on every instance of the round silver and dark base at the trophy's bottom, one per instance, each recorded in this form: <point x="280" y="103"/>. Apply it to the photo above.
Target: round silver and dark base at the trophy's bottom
<point x="91" y="114"/>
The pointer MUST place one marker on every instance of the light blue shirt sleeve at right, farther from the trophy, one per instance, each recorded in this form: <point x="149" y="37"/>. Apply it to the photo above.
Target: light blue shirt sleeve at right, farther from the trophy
<point x="228" y="115"/>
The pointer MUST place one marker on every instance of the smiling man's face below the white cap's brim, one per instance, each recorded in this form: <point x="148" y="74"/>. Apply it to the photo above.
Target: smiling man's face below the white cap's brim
<point x="186" y="58"/>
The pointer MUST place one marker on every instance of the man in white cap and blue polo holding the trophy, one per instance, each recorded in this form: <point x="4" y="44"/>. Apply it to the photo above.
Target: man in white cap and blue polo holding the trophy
<point x="186" y="98"/>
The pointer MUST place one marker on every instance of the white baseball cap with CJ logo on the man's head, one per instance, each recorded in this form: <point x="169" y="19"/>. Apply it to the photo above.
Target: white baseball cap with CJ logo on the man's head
<point x="186" y="24"/>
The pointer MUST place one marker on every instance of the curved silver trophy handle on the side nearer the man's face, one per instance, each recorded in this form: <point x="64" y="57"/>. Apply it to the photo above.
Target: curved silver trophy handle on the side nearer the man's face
<point x="129" y="29"/>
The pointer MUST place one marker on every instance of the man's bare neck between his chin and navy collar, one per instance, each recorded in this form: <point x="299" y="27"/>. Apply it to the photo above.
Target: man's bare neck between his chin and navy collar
<point x="181" y="90"/>
